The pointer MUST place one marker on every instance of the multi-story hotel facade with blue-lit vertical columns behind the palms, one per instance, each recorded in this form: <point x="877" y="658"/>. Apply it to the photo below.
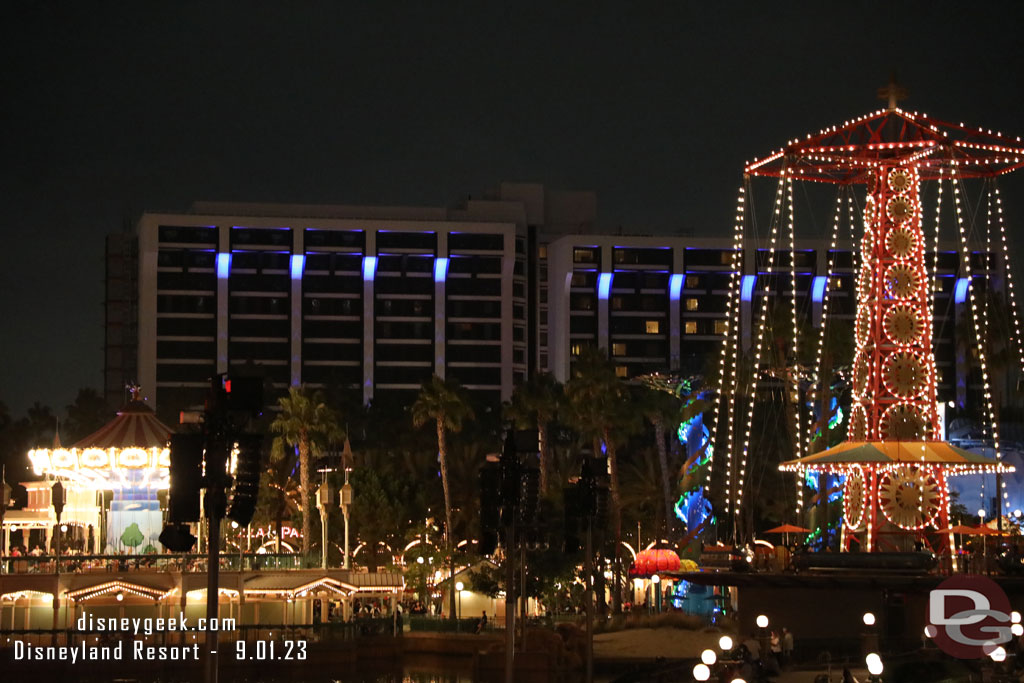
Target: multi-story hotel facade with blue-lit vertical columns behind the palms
<point x="381" y="298"/>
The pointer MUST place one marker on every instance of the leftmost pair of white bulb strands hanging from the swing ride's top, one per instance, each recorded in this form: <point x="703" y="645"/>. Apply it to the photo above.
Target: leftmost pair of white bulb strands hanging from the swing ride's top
<point x="727" y="389"/>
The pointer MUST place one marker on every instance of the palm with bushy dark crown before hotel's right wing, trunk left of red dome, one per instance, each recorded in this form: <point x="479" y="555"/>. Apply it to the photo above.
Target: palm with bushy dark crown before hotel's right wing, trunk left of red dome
<point x="600" y="407"/>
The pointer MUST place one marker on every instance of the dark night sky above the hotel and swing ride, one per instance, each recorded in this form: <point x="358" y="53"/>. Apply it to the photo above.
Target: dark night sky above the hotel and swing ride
<point x="112" y="109"/>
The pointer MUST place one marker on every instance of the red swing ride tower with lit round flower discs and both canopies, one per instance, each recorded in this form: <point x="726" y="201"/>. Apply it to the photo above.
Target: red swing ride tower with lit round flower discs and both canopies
<point x="897" y="472"/>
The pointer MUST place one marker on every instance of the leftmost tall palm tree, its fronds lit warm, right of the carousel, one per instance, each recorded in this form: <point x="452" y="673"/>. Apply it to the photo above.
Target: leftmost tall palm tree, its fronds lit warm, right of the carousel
<point x="307" y="423"/>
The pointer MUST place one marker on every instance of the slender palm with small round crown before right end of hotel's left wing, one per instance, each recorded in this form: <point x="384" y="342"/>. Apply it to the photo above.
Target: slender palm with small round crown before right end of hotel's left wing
<point x="445" y="403"/>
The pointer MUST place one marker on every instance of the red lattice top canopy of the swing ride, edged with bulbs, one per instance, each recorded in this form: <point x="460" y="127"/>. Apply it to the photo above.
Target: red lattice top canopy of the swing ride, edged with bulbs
<point x="845" y="154"/>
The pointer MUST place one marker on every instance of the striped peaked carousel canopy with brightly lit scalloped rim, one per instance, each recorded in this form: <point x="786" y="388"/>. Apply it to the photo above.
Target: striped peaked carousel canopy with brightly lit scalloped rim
<point x="130" y="452"/>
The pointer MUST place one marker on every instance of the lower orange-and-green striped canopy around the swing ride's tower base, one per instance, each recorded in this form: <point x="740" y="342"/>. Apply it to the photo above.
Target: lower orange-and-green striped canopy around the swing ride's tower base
<point x="954" y="459"/>
